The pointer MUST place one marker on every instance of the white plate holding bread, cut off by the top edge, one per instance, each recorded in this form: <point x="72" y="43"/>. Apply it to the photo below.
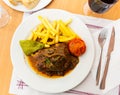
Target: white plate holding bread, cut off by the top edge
<point x="22" y="8"/>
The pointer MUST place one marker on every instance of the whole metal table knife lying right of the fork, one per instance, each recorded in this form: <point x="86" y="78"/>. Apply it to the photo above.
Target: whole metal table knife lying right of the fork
<point x="110" y="49"/>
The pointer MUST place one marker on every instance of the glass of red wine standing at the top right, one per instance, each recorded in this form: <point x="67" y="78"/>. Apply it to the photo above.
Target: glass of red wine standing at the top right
<point x="98" y="6"/>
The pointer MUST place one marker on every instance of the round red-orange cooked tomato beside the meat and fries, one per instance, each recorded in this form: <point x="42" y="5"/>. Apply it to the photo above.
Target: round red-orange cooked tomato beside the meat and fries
<point x="77" y="46"/>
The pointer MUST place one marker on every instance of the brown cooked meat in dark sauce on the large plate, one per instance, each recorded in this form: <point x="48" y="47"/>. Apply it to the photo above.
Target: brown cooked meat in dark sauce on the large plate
<point x="55" y="60"/>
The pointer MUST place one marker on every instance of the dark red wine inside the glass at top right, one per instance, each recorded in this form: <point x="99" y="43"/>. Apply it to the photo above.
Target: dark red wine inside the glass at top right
<point x="101" y="6"/>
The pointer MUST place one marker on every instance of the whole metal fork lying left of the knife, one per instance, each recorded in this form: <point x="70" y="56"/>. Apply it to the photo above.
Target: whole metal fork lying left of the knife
<point x="101" y="39"/>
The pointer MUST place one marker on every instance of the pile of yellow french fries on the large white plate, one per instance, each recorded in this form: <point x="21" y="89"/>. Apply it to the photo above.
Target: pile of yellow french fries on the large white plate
<point x="53" y="32"/>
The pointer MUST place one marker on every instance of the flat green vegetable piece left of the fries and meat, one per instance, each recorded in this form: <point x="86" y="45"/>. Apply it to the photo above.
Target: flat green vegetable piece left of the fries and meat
<point x="29" y="46"/>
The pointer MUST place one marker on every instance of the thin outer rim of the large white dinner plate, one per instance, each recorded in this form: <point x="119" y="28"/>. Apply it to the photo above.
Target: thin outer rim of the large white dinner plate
<point x="65" y="13"/>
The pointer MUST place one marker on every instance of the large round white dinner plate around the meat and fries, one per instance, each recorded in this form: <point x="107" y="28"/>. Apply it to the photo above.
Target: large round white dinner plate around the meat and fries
<point x="46" y="84"/>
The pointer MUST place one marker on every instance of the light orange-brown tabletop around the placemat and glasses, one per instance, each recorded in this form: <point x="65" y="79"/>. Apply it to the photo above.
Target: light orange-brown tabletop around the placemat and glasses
<point x="6" y="33"/>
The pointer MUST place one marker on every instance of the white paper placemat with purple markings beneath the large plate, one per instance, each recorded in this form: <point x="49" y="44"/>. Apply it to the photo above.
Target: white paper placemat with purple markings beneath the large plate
<point x="88" y="87"/>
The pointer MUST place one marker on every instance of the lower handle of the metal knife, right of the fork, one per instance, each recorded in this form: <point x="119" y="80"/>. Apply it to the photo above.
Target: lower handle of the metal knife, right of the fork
<point x="103" y="82"/>
